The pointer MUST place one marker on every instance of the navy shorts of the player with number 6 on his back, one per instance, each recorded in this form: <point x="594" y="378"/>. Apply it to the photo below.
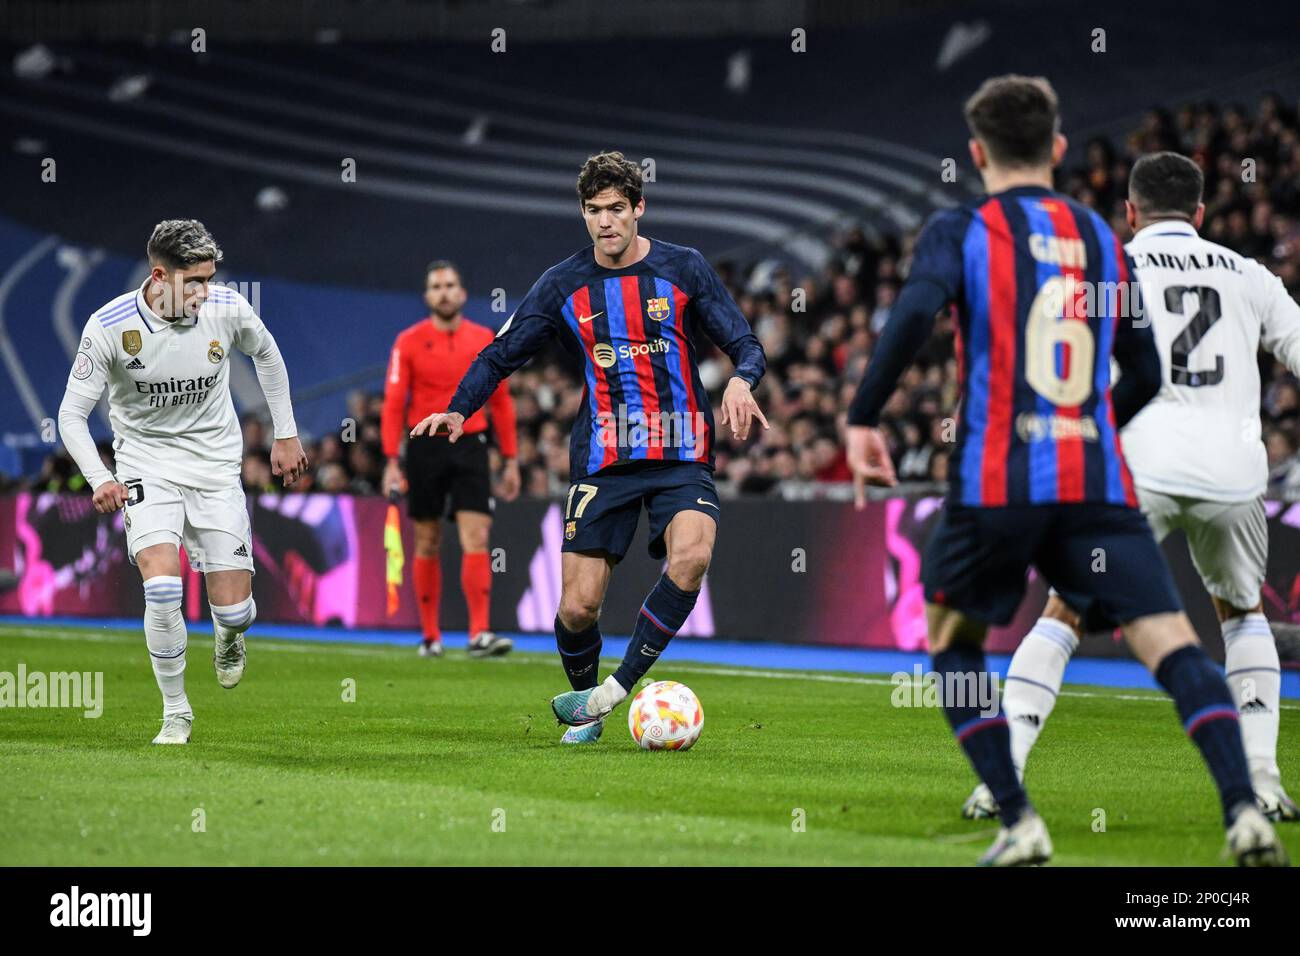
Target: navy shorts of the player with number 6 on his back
<point x="1102" y="559"/>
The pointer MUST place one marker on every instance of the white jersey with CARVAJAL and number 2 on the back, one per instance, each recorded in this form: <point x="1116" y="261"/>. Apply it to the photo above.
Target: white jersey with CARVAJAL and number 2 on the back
<point x="1211" y="312"/>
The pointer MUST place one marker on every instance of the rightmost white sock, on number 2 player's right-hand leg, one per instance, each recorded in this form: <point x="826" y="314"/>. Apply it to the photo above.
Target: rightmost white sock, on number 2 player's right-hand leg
<point x="1255" y="678"/>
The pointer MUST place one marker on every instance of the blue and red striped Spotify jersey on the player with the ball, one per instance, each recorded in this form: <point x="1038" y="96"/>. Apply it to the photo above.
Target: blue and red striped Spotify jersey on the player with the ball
<point x="634" y="331"/>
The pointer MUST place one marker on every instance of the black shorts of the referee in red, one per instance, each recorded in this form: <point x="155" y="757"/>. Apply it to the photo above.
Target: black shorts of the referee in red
<point x="441" y="474"/>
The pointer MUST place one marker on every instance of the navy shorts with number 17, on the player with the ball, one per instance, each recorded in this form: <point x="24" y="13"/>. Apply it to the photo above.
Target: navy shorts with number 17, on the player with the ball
<point x="603" y="511"/>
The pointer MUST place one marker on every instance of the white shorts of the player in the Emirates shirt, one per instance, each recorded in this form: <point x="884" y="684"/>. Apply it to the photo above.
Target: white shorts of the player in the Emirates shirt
<point x="211" y="526"/>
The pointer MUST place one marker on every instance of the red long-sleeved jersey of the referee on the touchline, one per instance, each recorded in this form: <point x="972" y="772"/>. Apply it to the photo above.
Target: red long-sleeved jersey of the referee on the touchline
<point x="424" y="371"/>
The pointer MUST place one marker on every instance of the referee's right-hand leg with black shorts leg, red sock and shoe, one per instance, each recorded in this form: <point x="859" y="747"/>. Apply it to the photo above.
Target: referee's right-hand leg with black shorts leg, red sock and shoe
<point x="473" y="504"/>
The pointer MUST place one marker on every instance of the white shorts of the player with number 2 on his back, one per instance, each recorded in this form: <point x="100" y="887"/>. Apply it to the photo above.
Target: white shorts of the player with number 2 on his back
<point x="1229" y="542"/>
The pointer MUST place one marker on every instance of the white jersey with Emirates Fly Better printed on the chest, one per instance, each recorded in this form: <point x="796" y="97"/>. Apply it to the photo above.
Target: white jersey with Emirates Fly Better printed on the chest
<point x="170" y="386"/>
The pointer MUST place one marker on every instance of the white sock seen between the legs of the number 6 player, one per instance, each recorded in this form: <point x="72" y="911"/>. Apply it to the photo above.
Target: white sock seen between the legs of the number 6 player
<point x="1033" y="684"/>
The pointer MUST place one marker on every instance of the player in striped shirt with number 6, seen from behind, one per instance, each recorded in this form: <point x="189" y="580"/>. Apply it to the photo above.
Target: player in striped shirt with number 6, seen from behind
<point x="1046" y="299"/>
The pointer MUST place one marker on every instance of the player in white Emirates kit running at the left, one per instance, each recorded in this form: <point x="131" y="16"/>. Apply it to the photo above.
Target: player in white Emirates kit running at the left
<point x="163" y="352"/>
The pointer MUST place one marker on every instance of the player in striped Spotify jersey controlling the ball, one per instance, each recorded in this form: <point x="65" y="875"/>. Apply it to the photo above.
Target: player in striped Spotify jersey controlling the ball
<point x="644" y="439"/>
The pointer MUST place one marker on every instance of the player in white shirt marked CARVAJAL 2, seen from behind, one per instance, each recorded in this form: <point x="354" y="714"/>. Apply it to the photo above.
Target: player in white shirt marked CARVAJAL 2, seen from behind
<point x="1198" y="461"/>
